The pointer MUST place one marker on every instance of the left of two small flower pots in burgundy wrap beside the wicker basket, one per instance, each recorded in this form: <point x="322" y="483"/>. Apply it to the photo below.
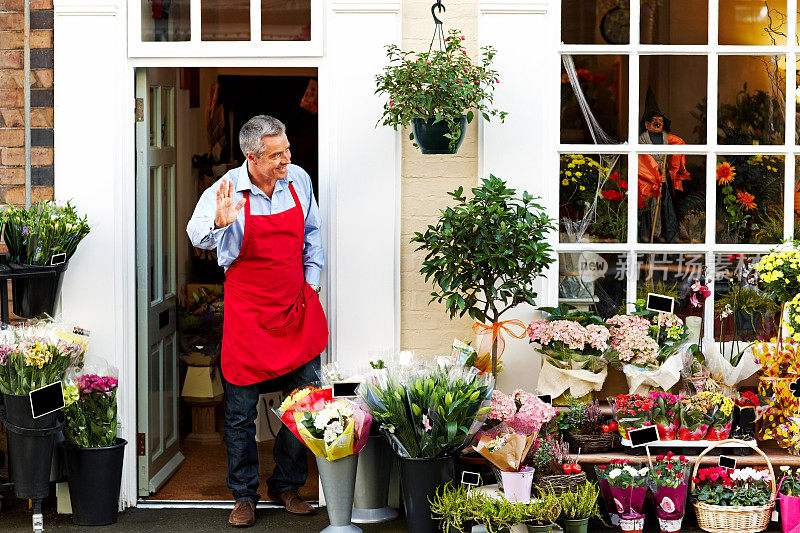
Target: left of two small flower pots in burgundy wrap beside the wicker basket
<point x="628" y="489"/>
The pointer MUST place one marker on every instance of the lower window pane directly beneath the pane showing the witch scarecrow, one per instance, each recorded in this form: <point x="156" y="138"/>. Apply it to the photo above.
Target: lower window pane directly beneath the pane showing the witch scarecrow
<point x="670" y="275"/>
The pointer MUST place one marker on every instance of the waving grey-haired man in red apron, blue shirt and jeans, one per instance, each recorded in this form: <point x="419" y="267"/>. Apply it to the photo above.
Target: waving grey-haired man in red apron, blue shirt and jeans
<point x="264" y="223"/>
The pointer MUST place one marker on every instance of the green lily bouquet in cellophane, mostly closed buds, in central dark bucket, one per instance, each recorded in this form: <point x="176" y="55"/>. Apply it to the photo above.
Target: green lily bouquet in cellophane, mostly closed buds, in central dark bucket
<point x="429" y="410"/>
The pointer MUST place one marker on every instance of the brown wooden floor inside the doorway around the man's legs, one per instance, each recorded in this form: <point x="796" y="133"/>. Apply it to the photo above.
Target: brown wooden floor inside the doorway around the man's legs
<point x="205" y="467"/>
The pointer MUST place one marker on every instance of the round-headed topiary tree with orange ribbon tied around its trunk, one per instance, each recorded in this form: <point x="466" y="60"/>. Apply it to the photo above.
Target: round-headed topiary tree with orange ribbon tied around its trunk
<point x="484" y="255"/>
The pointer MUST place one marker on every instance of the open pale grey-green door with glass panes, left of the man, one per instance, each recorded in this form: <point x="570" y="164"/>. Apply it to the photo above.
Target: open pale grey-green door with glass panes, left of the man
<point x="157" y="347"/>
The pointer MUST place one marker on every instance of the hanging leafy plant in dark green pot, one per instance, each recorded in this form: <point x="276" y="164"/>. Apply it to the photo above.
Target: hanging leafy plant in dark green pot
<point x="437" y="92"/>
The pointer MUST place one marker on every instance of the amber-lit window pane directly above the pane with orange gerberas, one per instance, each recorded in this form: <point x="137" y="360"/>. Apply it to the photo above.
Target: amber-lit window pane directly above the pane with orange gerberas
<point x="752" y="100"/>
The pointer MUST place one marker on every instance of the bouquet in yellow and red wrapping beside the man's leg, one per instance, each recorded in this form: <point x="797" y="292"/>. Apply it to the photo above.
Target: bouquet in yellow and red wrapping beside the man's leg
<point x="331" y="428"/>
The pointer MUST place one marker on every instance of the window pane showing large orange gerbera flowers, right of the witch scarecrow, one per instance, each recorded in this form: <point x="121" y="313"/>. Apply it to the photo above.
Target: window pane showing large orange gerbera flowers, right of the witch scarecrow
<point x="750" y="199"/>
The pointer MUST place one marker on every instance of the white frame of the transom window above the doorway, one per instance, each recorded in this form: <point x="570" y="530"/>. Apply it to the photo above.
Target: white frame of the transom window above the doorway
<point x="196" y="47"/>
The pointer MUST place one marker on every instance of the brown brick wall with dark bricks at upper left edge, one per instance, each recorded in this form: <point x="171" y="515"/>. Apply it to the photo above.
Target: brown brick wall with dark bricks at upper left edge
<point x="12" y="102"/>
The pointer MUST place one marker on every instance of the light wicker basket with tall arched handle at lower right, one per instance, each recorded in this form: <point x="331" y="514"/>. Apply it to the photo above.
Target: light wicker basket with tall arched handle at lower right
<point x="727" y="518"/>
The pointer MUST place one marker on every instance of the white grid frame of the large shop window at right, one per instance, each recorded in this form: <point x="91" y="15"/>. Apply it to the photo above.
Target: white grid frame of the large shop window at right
<point x="789" y="150"/>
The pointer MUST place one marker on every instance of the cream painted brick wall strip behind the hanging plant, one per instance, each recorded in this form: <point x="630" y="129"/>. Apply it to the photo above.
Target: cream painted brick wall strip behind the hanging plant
<point x="426" y="179"/>
